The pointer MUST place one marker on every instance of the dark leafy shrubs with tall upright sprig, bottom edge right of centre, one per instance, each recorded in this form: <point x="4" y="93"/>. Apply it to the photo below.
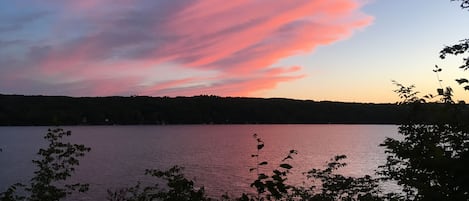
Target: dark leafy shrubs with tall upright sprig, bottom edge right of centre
<point x="323" y="185"/>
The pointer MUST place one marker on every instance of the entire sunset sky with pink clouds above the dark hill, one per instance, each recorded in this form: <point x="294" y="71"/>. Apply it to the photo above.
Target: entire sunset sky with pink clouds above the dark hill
<point x="336" y="50"/>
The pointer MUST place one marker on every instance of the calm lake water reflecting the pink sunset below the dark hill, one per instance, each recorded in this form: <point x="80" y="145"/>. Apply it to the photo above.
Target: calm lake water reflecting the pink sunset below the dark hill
<point x="216" y="156"/>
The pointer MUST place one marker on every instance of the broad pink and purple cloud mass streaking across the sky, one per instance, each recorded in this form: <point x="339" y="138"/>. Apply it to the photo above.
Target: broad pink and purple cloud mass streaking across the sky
<point x="239" y="40"/>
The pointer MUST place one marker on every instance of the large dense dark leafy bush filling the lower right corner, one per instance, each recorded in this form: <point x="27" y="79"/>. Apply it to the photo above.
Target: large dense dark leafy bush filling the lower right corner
<point x="430" y="161"/>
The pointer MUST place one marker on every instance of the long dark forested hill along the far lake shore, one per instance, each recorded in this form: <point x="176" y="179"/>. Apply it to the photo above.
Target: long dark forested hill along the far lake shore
<point x="60" y="110"/>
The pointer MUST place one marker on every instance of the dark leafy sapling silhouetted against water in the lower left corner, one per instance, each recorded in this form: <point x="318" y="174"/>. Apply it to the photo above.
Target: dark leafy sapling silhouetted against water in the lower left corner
<point x="56" y="164"/>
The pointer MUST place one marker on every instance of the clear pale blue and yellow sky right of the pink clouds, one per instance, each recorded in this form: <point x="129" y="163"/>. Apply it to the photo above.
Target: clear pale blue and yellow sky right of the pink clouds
<point x="401" y="44"/>
